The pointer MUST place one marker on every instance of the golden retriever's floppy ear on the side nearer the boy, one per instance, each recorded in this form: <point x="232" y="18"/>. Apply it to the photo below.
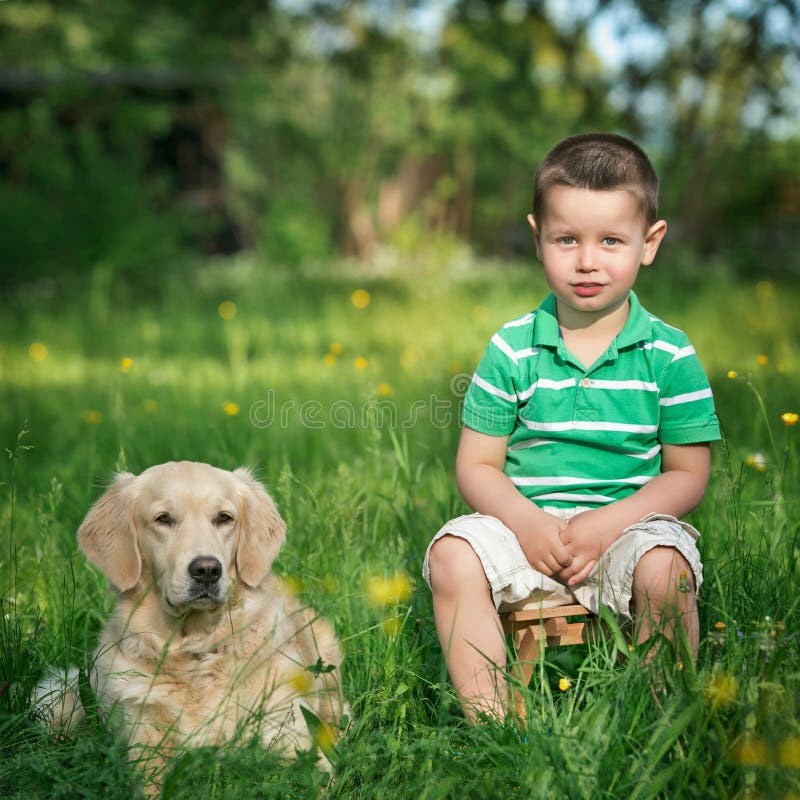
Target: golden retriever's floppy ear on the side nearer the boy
<point x="261" y="530"/>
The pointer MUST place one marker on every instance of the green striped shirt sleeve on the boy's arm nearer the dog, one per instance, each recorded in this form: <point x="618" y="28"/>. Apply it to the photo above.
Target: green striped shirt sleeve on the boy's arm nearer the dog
<point x="490" y="404"/>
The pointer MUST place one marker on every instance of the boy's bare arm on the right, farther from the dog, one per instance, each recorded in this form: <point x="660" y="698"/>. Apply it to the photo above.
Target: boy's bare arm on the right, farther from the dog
<point x="679" y="488"/>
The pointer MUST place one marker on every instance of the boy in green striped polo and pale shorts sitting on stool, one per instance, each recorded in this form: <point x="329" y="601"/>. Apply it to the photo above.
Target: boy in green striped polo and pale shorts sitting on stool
<point x="586" y="434"/>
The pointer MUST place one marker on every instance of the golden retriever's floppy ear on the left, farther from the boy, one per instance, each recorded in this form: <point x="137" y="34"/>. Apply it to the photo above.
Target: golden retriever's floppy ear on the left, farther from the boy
<point x="108" y="534"/>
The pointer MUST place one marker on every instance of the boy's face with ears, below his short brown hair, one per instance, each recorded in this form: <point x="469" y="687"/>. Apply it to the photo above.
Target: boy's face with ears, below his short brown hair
<point x="592" y="244"/>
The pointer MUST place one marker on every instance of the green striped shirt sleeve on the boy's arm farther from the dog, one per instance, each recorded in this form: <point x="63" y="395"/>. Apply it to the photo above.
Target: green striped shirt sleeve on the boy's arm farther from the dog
<point x="686" y="402"/>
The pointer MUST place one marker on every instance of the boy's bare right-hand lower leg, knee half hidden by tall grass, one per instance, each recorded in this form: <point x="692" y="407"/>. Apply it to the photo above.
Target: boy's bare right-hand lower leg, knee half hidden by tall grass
<point x="664" y="595"/>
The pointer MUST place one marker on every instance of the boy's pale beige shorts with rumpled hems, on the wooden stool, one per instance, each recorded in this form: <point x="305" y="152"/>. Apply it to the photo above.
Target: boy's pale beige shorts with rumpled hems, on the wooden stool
<point x="514" y="583"/>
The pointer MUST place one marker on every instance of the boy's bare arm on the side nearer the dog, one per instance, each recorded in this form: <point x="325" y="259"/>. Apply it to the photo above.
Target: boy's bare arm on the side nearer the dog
<point x="487" y="490"/>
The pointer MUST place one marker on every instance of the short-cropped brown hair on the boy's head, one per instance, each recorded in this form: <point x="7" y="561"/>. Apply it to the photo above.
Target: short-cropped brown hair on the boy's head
<point x="598" y="161"/>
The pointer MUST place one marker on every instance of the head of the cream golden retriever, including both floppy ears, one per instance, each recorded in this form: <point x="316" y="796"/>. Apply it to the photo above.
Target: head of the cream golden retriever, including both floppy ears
<point x="189" y="529"/>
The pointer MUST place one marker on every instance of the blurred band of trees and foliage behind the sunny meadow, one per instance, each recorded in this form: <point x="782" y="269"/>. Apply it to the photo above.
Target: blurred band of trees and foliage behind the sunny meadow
<point x="133" y="131"/>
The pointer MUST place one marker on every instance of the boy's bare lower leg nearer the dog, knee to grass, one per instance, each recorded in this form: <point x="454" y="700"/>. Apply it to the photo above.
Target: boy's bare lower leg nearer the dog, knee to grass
<point x="468" y="627"/>
